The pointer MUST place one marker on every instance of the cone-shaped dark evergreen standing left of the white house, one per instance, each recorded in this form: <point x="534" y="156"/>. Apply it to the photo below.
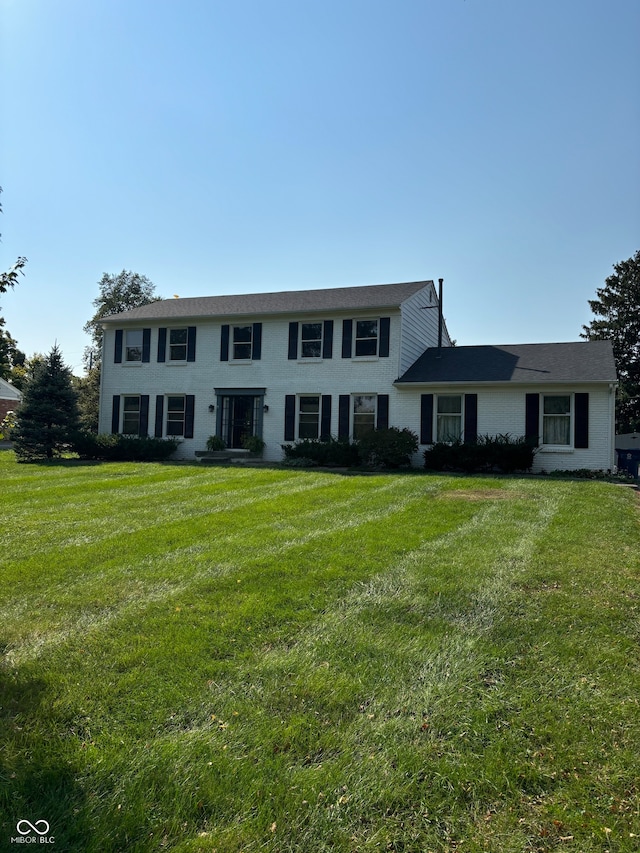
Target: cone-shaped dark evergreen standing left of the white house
<point x="48" y="413"/>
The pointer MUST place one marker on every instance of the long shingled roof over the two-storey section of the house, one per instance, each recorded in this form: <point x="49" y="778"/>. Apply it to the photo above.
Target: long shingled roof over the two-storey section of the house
<point x="287" y="302"/>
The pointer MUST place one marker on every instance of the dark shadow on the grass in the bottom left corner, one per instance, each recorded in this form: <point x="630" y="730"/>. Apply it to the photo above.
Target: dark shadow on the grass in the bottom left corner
<point x="35" y="784"/>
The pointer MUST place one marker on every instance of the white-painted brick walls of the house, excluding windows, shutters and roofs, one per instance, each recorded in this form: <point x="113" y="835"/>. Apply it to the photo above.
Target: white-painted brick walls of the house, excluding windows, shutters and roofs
<point x="500" y="409"/>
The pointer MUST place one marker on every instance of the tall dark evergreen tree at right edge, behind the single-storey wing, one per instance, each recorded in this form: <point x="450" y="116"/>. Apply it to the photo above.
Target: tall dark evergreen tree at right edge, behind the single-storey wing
<point x="618" y="311"/>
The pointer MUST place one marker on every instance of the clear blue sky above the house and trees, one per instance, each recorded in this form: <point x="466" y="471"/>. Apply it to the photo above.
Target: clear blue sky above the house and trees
<point x="226" y="147"/>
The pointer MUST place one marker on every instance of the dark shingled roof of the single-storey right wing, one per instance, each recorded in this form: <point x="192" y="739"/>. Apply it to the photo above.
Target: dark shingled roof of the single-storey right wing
<point x="587" y="361"/>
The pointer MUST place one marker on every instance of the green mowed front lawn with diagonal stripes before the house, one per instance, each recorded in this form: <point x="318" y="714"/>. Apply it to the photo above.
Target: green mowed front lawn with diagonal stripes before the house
<point x="208" y="659"/>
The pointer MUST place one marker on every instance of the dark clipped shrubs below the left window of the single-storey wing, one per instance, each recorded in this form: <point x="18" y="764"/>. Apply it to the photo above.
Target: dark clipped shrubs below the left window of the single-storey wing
<point x="499" y="453"/>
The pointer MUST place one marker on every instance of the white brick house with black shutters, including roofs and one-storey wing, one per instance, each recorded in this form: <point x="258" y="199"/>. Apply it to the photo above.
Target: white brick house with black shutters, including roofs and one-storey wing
<point x="310" y="364"/>
